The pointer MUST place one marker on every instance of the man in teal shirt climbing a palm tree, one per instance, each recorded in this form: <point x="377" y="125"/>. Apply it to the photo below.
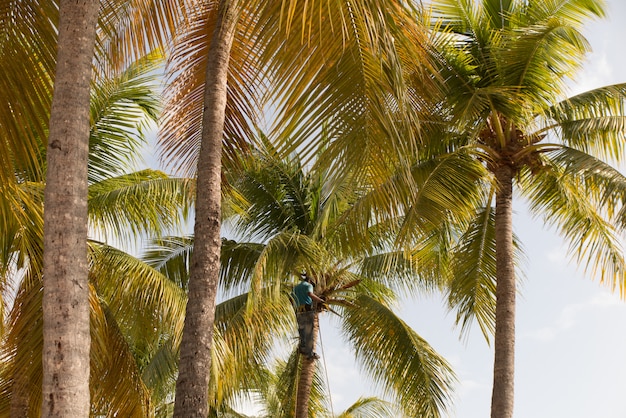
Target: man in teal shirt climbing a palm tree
<point x="303" y="298"/>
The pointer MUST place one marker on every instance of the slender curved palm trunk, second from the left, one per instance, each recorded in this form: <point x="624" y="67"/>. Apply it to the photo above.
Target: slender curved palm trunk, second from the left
<point x="195" y="352"/>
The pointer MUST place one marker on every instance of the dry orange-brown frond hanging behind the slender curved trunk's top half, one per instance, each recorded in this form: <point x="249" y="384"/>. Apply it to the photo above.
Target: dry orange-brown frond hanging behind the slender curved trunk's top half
<point x="180" y="135"/>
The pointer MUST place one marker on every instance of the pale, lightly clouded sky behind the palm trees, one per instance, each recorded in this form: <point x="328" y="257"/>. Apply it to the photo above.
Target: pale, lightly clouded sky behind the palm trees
<point x="571" y="339"/>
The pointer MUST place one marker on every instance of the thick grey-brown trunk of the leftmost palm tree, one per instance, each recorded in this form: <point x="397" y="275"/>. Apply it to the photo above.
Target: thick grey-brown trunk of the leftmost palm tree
<point x="65" y="387"/>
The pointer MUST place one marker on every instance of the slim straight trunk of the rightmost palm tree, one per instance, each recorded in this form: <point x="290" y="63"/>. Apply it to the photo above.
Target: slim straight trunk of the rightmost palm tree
<point x="504" y="363"/>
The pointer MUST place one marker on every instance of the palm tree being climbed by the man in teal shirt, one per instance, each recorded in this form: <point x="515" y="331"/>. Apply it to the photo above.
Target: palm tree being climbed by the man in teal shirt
<point x="294" y="216"/>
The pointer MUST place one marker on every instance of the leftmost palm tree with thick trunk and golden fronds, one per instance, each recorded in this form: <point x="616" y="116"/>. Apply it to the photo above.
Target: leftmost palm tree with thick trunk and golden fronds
<point x="32" y="61"/>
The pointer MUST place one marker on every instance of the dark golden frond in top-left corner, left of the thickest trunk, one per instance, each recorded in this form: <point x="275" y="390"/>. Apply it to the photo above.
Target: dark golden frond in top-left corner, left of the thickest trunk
<point x="28" y="36"/>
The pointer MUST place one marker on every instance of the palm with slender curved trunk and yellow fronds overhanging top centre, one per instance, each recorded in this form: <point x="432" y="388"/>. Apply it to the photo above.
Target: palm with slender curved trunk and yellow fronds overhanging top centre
<point x="211" y="104"/>
